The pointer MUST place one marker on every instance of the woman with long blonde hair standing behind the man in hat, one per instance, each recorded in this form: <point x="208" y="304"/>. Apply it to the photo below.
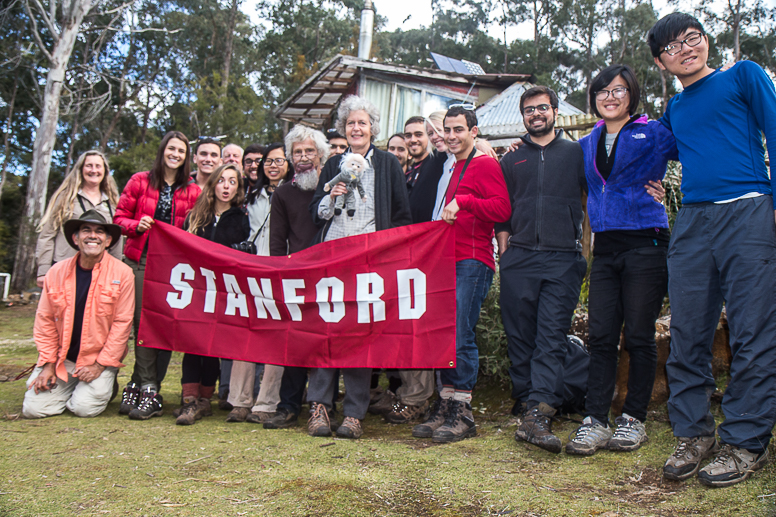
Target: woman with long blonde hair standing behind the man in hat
<point x="88" y="186"/>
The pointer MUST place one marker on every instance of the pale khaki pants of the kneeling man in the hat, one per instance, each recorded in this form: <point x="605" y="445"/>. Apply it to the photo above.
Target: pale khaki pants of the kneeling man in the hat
<point x="84" y="399"/>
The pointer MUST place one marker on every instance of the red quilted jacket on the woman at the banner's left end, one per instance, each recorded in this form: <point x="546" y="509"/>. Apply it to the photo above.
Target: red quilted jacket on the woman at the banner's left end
<point x="139" y="199"/>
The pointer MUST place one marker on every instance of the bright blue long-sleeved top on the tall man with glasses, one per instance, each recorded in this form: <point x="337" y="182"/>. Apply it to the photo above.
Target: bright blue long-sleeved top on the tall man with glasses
<point x="717" y="123"/>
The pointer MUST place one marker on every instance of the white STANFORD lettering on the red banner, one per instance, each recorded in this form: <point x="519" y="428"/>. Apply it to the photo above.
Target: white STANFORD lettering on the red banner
<point x="329" y="294"/>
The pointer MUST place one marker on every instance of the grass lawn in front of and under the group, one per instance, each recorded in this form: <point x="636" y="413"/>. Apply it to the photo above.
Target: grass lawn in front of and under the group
<point x="110" y="465"/>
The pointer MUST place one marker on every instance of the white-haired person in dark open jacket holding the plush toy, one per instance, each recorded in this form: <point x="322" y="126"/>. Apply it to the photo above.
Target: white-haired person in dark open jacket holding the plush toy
<point x="386" y="206"/>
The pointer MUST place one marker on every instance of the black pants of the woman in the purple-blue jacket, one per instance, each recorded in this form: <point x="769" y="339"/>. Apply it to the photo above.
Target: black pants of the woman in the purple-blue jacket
<point x="629" y="287"/>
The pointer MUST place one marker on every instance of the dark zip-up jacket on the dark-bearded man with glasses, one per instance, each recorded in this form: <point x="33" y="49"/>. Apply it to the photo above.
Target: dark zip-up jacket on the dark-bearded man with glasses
<point x="545" y="188"/>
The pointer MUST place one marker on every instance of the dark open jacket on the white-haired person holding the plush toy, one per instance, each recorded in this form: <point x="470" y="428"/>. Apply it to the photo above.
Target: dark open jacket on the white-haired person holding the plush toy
<point x="392" y="206"/>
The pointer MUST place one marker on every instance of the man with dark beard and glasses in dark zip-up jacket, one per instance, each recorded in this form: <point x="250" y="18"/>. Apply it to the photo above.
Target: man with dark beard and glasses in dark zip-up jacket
<point x="541" y="264"/>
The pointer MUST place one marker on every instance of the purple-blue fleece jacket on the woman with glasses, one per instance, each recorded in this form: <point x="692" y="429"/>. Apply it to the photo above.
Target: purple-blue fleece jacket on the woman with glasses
<point x="621" y="202"/>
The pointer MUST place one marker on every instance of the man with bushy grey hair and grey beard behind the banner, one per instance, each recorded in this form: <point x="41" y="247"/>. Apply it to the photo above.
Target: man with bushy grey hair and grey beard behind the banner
<point x="291" y="230"/>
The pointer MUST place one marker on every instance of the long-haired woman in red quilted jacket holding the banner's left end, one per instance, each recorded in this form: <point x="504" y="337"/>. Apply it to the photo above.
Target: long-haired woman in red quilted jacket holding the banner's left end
<point x="165" y="193"/>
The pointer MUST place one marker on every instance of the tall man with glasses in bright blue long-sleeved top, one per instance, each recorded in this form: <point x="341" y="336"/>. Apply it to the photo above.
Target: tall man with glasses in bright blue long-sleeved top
<point x="723" y="249"/>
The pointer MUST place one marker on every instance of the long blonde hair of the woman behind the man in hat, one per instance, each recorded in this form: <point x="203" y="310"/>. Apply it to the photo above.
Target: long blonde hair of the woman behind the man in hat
<point x="60" y="207"/>
